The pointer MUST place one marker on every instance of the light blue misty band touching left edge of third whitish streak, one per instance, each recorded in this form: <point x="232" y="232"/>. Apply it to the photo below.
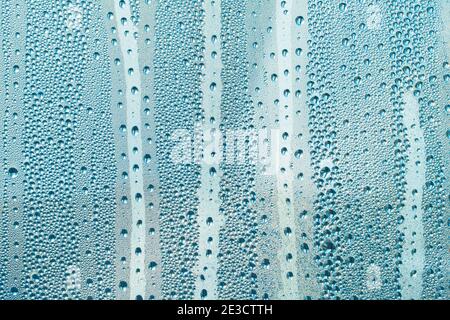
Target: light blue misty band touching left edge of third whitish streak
<point x="264" y="91"/>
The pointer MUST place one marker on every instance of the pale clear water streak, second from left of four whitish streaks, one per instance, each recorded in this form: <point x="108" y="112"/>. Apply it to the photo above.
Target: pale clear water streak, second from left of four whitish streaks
<point x="209" y="217"/>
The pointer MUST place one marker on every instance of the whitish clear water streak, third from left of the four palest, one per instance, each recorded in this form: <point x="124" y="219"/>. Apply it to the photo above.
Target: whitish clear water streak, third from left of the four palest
<point x="284" y="172"/>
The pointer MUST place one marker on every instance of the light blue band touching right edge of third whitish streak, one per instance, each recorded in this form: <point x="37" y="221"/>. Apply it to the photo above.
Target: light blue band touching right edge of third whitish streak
<point x="304" y="187"/>
